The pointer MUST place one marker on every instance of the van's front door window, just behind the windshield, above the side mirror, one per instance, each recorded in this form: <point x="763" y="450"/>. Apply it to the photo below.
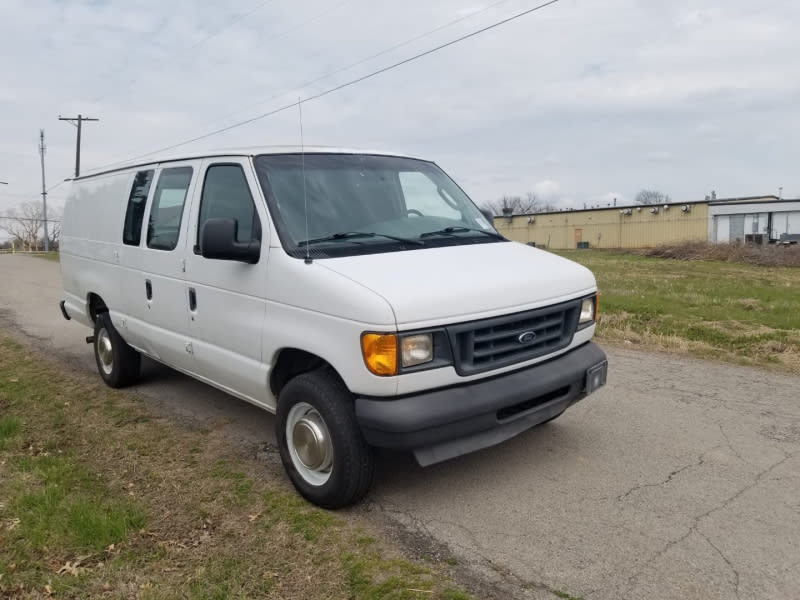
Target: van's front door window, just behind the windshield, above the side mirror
<point x="226" y="194"/>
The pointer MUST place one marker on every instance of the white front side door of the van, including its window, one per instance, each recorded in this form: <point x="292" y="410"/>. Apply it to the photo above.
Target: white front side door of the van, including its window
<point x="226" y="298"/>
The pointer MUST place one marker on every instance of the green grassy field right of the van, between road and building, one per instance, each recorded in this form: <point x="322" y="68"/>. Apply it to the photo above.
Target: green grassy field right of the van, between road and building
<point x="734" y="312"/>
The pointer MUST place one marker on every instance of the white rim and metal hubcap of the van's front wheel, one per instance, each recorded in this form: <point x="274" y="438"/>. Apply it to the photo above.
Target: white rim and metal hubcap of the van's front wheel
<point x="309" y="442"/>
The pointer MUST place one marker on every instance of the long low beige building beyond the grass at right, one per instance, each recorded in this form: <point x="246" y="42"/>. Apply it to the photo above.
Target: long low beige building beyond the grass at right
<point x="631" y="226"/>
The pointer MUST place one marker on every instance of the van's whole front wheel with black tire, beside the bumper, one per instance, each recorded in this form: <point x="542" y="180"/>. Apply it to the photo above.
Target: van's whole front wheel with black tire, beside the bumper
<point x="346" y="475"/>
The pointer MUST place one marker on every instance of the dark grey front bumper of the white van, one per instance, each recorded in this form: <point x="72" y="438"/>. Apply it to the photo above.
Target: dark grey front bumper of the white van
<point x="448" y="422"/>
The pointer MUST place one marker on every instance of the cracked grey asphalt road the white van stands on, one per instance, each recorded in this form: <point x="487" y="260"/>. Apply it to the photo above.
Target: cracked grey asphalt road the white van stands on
<point x="680" y="479"/>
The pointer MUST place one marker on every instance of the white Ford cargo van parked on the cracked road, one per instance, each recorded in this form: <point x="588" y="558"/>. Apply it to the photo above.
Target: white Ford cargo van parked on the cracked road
<point x="360" y="296"/>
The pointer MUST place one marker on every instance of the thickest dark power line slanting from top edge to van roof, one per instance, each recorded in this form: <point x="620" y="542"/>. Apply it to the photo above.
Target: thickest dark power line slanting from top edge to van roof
<point x="346" y="84"/>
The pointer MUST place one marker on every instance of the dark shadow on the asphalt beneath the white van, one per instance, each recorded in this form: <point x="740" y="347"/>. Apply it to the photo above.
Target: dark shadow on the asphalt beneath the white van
<point x="537" y="452"/>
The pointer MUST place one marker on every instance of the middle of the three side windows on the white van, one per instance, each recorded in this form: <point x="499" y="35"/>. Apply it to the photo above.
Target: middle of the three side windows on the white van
<point x="167" y="210"/>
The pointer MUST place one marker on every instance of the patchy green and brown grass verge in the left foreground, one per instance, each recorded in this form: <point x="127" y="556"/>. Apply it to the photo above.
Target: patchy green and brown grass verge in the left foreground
<point x="100" y="500"/>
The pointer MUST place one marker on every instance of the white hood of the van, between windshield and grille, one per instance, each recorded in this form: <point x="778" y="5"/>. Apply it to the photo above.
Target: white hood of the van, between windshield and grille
<point x="435" y="286"/>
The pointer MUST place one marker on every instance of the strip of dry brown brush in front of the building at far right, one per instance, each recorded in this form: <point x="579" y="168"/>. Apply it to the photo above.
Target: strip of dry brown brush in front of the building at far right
<point x="751" y="254"/>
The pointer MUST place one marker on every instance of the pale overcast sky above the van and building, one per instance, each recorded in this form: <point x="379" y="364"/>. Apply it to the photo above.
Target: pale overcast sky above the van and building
<point x="583" y="101"/>
